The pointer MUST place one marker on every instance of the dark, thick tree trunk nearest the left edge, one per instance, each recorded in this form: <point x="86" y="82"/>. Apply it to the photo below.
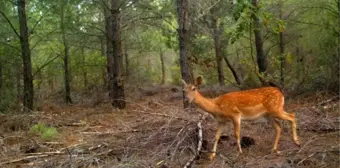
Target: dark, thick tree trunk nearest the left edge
<point x="26" y="56"/>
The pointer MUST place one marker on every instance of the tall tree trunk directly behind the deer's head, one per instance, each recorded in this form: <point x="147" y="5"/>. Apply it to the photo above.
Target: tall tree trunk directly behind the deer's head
<point x="184" y="39"/>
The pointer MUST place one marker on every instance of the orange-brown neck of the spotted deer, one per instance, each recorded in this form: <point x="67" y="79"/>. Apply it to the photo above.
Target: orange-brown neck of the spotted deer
<point x="206" y="104"/>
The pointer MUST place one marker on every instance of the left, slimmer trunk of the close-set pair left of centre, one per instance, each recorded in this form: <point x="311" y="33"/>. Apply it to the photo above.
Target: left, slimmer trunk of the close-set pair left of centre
<point x="109" y="49"/>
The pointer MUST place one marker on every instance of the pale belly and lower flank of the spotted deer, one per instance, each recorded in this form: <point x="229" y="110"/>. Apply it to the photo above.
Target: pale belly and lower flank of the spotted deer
<point x="253" y="112"/>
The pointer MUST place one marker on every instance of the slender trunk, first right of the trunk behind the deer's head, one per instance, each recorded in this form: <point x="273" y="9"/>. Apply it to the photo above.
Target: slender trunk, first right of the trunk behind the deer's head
<point x="217" y="30"/>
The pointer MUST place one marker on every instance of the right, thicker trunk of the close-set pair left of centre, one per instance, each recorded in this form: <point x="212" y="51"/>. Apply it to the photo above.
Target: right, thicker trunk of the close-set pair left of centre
<point x="118" y="82"/>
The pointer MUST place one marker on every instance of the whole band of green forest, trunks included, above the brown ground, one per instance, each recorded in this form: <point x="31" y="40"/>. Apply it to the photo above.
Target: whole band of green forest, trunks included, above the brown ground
<point x="76" y="45"/>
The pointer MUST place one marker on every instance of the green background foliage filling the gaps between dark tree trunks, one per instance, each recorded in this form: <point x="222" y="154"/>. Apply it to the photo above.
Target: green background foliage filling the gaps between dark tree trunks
<point x="149" y="27"/>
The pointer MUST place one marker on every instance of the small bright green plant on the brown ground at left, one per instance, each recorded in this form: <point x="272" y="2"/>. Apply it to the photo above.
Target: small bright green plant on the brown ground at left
<point x="45" y="132"/>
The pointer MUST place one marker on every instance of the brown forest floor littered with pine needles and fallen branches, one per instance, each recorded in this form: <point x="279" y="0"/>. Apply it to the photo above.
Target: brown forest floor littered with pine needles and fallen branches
<point x="155" y="131"/>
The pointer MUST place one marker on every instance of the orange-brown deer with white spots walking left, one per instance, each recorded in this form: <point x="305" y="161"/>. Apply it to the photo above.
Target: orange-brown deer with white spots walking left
<point x="236" y="106"/>
